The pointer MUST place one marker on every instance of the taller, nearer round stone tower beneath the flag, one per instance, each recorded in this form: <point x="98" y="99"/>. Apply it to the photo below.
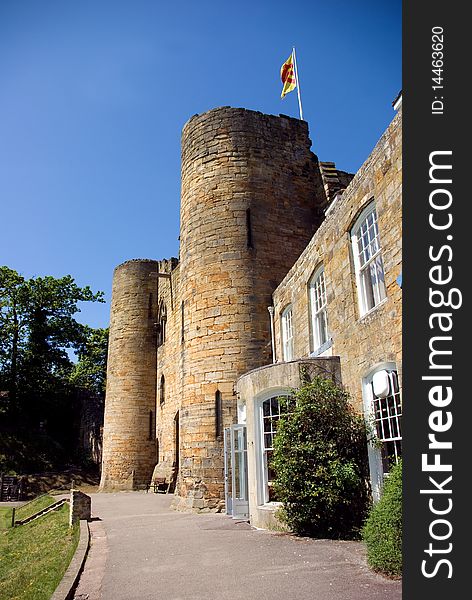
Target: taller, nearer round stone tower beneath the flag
<point x="250" y="203"/>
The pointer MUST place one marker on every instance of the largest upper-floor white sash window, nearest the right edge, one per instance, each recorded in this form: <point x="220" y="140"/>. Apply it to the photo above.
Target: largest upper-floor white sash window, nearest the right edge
<point x="368" y="260"/>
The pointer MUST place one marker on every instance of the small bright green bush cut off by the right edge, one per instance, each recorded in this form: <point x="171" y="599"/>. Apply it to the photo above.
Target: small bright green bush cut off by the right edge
<point x="382" y="532"/>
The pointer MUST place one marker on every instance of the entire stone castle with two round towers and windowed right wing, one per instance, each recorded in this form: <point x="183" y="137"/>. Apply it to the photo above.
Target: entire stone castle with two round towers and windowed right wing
<point x="286" y="264"/>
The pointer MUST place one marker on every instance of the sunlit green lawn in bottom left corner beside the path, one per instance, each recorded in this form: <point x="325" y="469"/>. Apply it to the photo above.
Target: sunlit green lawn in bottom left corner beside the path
<point x="35" y="556"/>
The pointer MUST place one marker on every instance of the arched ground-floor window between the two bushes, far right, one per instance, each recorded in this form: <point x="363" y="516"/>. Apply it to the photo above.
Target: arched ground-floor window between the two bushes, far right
<point x="383" y="413"/>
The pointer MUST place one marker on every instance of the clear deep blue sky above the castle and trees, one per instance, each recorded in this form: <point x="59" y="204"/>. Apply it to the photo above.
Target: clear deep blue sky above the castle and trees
<point x="94" y="94"/>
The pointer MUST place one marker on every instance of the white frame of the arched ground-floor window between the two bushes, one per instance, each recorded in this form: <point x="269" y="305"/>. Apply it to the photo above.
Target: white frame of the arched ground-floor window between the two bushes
<point x="384" y="430"/>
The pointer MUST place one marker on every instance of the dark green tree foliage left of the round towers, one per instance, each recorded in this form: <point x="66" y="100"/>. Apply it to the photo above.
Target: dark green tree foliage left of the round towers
<point x="38" y="379"/>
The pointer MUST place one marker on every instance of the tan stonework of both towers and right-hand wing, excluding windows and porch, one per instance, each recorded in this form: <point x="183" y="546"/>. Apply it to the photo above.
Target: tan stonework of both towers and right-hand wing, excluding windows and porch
<point x="182" y="331"/>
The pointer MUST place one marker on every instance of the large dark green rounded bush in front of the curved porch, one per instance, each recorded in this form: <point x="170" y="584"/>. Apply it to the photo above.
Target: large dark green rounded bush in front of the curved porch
<point x="320" y="463"/>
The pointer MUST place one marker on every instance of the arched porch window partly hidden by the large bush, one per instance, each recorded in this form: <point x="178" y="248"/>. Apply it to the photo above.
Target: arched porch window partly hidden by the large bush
<point x="271" y="410"/>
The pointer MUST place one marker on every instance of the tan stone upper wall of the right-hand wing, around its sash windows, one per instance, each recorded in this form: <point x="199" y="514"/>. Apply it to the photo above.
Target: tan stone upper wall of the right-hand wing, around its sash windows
<point x="360" y="342"/>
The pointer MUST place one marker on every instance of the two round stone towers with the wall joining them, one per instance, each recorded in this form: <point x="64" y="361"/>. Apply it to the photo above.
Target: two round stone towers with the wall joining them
<point x="182" y="332"/>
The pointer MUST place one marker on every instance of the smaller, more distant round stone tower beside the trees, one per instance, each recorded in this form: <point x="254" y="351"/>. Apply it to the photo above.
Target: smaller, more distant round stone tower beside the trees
<point x="129" y="445"/>
